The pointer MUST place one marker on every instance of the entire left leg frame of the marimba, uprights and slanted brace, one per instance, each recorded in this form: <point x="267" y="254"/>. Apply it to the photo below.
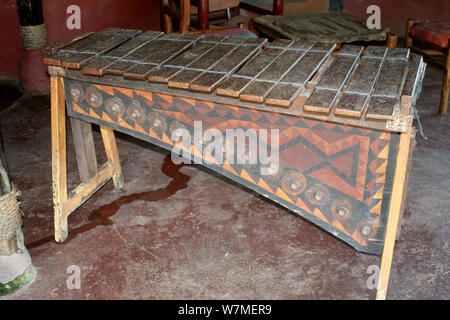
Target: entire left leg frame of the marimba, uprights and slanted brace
<point x="92" y="178"/>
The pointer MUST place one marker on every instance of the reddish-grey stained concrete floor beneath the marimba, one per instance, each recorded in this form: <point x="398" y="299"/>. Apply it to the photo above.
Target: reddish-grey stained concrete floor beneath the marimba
<point x="186" y="233"/>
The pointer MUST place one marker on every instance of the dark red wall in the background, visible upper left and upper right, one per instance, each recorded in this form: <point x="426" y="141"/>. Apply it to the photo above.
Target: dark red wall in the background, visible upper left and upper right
<point x="144" y="14"/>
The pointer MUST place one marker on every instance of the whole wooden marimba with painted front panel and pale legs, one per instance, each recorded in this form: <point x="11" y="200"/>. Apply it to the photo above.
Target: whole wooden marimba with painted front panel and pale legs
<point x="344" y="120"/>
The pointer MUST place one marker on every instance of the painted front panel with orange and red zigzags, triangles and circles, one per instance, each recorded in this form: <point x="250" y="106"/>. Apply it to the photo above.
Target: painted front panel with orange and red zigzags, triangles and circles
<point x="348" y="165"/>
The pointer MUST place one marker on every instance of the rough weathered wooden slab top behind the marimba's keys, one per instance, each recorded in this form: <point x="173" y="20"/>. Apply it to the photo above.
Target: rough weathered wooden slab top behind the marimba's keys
<point x="322" y="27"/>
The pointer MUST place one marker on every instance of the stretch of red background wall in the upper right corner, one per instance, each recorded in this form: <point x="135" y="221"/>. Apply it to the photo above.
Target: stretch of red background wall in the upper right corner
<point x="395" y="13"/>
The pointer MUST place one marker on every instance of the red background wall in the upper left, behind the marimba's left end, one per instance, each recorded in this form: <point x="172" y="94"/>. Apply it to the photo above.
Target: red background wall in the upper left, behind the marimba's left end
<point x="95" y="15"/>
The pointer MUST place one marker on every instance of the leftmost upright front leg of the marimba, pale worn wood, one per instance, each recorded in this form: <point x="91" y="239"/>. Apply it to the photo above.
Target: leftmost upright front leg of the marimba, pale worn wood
<point x="59" y="170"/>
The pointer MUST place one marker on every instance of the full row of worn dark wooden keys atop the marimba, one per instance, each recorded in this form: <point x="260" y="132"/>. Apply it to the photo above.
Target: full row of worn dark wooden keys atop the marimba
<point x="372" y="84"/>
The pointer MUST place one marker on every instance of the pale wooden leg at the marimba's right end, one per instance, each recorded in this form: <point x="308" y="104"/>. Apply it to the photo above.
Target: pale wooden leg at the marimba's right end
<point x="394" y="213"/>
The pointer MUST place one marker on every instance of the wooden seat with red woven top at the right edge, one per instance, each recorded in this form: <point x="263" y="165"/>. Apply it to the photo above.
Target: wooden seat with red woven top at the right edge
<point x="437" y="37"/>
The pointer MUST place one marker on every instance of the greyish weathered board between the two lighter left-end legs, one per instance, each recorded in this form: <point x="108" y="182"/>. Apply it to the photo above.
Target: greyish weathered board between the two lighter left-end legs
<point x="84" y="149"/>
